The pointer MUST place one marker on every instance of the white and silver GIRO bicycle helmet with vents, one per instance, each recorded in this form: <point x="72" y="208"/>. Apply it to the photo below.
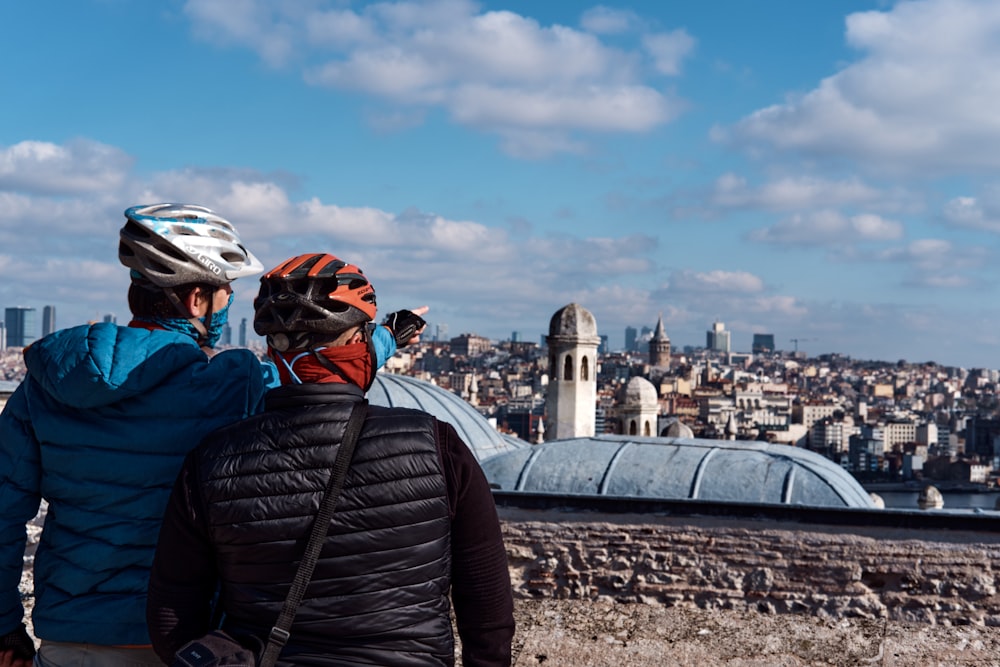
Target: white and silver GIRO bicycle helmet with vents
<point x="183" y="244"/>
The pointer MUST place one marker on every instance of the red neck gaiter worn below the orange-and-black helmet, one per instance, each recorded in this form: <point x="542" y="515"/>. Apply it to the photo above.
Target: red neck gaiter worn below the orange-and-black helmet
<point x="355" y="363"/>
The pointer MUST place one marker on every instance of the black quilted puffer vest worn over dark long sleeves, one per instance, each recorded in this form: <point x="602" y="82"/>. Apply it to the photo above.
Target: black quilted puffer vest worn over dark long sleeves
<point x="379" y="594"/>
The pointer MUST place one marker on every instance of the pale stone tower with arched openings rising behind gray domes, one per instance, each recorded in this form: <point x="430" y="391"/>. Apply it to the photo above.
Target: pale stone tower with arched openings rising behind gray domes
<point x="572" y="393"/>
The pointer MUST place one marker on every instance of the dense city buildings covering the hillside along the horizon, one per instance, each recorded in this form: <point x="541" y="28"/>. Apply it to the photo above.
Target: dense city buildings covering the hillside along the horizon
<point x="884" y="422"/>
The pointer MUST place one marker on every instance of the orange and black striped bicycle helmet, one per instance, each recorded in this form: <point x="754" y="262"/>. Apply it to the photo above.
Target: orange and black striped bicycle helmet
<point x="309" y="297"/>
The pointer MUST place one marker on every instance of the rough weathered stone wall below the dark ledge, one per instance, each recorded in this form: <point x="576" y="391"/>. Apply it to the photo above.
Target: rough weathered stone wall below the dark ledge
<point x="936" y="576"/>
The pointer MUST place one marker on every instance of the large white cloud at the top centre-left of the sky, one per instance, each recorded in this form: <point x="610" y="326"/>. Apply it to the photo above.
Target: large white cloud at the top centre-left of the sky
<point x="496" y="71"/>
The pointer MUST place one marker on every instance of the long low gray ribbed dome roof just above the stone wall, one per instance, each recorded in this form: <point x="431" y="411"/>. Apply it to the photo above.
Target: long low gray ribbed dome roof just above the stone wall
<point x="678" y="469"/>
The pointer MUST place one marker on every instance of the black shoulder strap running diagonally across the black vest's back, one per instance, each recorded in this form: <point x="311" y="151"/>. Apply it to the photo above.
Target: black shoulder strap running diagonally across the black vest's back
<point x="279" y="633"/>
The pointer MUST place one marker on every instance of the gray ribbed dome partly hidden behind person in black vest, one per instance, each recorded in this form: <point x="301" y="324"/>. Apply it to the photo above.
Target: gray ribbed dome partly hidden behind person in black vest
<point x="402" y="391"/>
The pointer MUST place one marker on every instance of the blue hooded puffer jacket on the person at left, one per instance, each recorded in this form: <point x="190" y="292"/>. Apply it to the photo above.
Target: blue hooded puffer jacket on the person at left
<point x="99" y="429"/>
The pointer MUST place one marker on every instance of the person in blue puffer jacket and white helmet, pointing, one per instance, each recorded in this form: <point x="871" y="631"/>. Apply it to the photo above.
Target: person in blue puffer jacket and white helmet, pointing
<point x="101" y="425"/>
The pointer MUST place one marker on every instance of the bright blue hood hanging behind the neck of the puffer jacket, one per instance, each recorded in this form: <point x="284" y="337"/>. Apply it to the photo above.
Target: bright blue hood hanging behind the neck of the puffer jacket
<point x="100" y="364"/>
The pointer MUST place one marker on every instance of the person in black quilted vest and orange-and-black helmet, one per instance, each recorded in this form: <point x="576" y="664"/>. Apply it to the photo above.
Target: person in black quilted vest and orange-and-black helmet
<point x="415" y="528"/>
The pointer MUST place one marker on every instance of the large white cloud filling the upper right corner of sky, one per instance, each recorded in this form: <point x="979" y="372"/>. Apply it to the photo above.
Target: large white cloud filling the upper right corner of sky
<point x="922" y="97"/>
